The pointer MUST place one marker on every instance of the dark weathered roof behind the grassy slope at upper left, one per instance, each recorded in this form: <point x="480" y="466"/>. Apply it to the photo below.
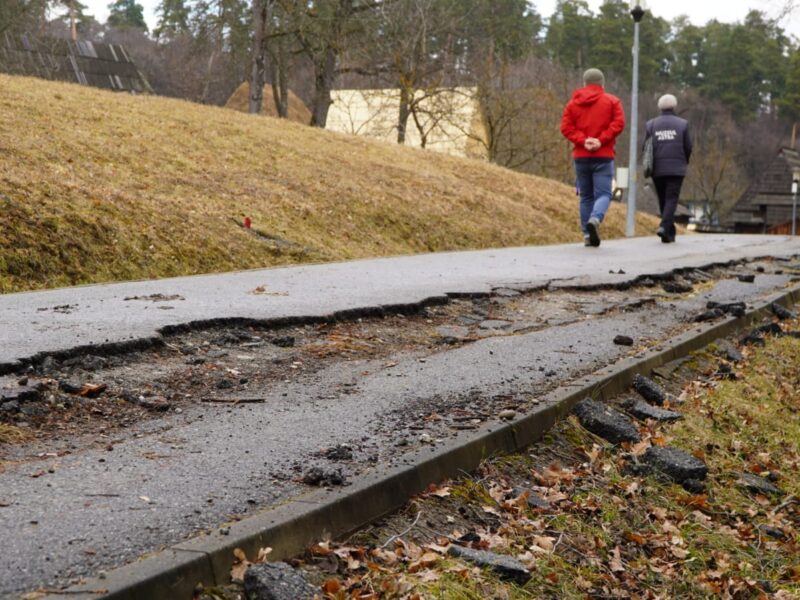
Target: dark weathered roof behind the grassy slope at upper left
<point x="88" y="63"/>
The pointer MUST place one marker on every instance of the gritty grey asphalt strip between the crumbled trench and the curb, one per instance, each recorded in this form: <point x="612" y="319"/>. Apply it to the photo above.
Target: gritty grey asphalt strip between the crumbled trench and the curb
<point x="169" y="478"/>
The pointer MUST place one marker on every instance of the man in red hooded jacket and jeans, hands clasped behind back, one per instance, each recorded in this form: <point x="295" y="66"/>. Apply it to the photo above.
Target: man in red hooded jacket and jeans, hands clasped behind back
<point x="592" y="121"/>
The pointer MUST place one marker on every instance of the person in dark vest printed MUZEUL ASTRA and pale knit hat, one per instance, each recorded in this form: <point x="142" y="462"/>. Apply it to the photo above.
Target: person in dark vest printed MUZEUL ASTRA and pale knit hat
<point x="672" y="149"/>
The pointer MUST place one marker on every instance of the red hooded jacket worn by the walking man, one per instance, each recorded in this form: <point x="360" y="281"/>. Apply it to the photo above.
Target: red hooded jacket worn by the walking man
<point x="593" y="113"/>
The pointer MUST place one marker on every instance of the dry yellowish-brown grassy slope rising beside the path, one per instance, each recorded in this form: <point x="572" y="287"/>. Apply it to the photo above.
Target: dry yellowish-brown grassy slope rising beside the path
<point x="96" y="186"/>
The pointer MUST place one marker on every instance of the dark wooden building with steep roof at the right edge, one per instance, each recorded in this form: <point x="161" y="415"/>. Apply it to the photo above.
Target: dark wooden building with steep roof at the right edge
<point x="766" y="206"/>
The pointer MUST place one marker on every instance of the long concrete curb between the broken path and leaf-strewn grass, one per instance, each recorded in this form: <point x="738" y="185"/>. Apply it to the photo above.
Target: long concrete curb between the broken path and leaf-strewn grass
<point x="173" y="573"/>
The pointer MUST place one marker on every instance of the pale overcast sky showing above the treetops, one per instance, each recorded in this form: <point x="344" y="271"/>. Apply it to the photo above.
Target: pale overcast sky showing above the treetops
<point x="699" y="11"/>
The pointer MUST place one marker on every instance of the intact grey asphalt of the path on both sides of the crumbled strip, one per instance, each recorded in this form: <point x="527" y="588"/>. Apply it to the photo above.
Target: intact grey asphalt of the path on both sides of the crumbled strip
<point x="168" y="479"/>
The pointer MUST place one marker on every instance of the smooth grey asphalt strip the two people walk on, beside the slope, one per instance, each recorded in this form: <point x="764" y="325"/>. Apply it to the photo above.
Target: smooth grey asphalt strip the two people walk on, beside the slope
<point x="62" y="319"/>
